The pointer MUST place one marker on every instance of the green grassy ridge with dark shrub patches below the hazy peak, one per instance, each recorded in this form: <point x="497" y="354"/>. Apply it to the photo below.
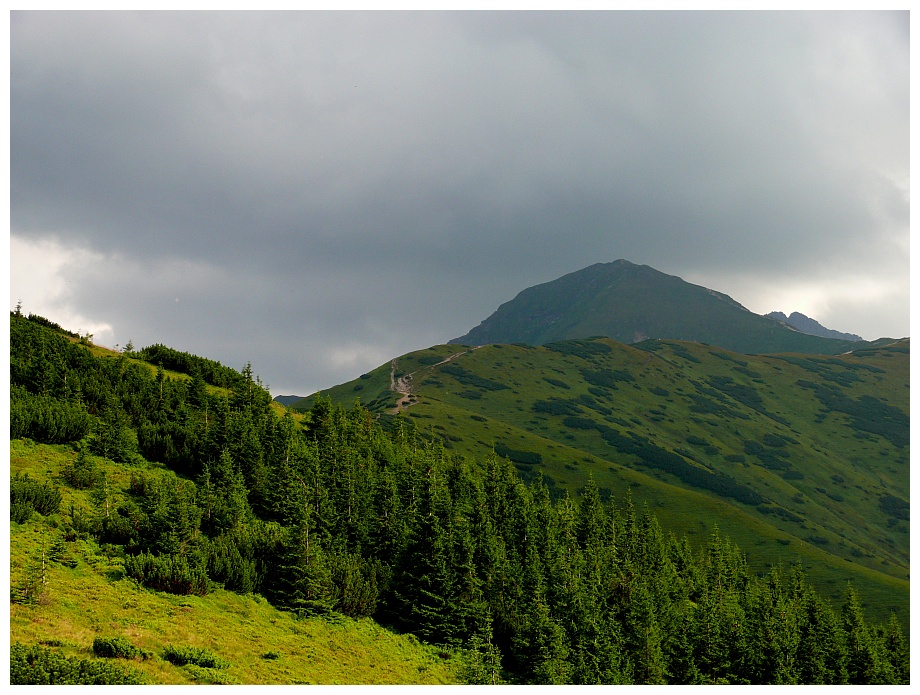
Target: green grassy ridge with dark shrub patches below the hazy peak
<point x="793" y="456"/>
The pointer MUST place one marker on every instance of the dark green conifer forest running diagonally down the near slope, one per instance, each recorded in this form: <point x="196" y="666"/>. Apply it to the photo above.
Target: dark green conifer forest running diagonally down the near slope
<point x="335" y="514"/>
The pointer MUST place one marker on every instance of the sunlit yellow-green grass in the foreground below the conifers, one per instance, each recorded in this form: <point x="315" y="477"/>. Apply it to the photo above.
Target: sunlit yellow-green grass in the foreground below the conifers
<point x="87" y="595"/>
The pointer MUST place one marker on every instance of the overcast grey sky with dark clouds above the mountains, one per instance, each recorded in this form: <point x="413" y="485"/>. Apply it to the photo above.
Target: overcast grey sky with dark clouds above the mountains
<point x="317" y="193"/>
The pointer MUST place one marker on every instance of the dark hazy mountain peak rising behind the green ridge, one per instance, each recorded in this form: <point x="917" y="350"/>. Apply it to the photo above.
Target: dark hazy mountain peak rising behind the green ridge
<point x="631" y="303"/>
